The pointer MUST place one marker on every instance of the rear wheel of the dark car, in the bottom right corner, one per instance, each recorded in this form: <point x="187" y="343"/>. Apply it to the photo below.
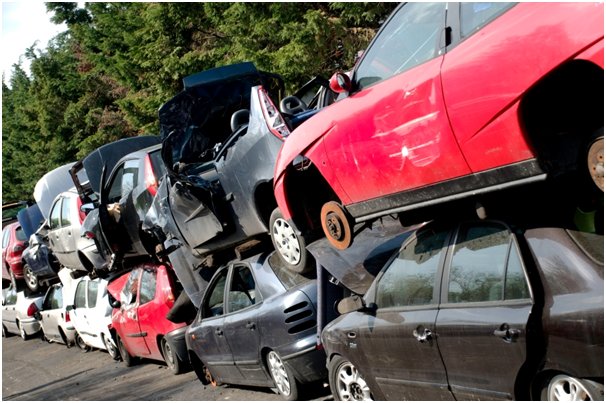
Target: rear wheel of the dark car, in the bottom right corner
<point x="568" y="388"/>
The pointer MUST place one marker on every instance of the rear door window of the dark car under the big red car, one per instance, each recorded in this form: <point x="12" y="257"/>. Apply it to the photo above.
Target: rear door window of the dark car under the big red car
<point x="483" y="261"/>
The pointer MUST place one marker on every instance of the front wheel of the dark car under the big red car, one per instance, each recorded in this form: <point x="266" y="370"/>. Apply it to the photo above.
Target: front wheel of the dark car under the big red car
<point x="345" y="381"/>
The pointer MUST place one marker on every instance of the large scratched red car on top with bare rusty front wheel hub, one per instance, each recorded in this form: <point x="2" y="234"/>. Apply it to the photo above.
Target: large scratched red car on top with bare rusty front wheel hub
<point x="449" y="101"/>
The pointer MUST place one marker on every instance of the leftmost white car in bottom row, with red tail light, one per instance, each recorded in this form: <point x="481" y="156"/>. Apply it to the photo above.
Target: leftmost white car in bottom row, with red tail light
<point x="18" y="313"/>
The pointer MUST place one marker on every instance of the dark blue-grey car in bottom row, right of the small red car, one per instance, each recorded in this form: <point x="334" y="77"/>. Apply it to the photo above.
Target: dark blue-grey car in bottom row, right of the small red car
<point x="257" y="325"/>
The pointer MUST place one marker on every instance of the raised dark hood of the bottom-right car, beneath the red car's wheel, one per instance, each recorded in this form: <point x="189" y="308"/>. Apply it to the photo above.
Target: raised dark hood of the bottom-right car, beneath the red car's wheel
<point x="357" y="266"/>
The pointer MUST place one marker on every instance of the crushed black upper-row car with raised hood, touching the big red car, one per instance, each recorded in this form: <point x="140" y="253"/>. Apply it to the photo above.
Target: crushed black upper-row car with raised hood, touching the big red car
<point x="221" y="136"/>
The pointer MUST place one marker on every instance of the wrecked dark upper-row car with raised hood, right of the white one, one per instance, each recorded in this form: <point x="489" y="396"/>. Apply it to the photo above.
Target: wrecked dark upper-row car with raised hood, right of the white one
<point x="123" y="179"/>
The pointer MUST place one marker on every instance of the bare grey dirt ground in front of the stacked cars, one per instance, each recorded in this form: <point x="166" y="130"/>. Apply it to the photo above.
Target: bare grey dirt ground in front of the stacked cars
<point x="36" y="370"/>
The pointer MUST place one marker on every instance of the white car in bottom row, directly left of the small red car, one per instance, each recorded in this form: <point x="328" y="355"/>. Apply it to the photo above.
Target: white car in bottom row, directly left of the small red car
<point x="90" y="312"/>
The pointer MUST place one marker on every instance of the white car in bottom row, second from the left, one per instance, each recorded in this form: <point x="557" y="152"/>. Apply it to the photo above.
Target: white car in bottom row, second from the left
<point x="54" y="317"/>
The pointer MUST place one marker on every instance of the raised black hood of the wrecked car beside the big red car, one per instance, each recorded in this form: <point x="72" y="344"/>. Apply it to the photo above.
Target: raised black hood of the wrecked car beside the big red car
<point x="198" y="118"/>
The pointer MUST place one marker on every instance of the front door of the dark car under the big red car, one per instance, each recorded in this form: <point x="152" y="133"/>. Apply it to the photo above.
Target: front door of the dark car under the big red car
<point x="398" y="343"/>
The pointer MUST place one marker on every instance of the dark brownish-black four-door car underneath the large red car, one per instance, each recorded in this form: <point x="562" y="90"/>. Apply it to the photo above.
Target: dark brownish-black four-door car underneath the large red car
<point x="474" y="310"/>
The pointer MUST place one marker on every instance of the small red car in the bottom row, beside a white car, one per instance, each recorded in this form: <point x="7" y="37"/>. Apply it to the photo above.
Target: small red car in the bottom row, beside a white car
<point x="139" y="317"/>
